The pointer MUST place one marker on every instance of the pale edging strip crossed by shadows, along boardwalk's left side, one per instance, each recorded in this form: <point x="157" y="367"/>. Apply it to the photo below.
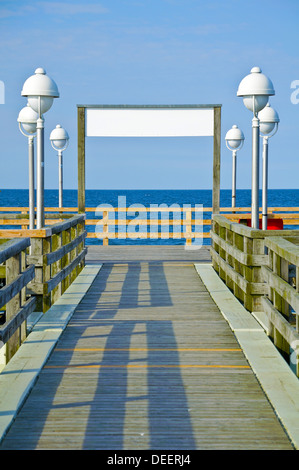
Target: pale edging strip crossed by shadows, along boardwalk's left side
<point x="20" y="374"/>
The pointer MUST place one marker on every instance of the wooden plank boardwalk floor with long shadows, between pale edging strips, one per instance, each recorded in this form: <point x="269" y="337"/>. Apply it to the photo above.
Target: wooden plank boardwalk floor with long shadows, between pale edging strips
<point x="147" y="362"/>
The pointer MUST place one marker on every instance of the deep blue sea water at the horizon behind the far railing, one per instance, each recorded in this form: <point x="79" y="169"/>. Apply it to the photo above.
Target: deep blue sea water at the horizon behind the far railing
<point x="146" y="198"/>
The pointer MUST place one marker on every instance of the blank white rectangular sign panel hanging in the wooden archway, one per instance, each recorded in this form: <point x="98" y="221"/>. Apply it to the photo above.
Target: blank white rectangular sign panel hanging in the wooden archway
<point x="149" y="122"/>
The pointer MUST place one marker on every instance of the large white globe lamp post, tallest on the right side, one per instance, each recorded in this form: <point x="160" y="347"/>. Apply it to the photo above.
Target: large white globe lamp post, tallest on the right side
<point x="255" y="90"/>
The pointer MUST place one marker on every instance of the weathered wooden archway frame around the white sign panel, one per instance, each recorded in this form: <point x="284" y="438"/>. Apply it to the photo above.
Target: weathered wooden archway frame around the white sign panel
<point x="216" y="144"/>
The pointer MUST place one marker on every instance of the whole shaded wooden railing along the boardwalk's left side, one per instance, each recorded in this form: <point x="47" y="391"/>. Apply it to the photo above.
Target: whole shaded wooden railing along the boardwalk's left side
<point x="35" y="270"/>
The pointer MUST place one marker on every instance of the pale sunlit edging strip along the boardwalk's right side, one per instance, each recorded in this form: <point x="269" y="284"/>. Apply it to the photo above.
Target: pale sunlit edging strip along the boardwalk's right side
<point x="279" y="383"/>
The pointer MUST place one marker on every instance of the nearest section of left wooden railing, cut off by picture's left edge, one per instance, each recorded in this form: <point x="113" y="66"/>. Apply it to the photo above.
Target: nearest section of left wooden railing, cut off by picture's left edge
<point x="15" y="304"/>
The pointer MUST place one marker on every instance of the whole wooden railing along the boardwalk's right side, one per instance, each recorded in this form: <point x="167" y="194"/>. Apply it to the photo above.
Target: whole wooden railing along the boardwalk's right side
<point x="261" y="268"/>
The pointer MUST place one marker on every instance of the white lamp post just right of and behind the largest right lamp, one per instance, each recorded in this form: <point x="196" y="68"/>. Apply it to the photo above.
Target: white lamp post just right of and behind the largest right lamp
<point x="269" y="120"/>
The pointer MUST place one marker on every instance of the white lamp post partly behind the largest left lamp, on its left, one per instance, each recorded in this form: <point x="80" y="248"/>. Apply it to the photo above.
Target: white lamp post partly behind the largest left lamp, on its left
<point x="27" y="124"/>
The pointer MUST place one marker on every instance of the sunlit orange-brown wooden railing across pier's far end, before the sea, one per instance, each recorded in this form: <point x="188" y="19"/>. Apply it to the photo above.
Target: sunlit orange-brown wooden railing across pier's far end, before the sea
<point x="118" y="223"/>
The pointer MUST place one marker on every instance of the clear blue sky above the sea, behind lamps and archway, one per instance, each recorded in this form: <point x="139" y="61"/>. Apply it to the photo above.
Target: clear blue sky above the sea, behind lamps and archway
<point x="149" y="52"/>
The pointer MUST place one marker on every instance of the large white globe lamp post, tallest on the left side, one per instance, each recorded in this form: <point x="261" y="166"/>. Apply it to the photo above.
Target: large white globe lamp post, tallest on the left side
<point x="40" y="91"/>
